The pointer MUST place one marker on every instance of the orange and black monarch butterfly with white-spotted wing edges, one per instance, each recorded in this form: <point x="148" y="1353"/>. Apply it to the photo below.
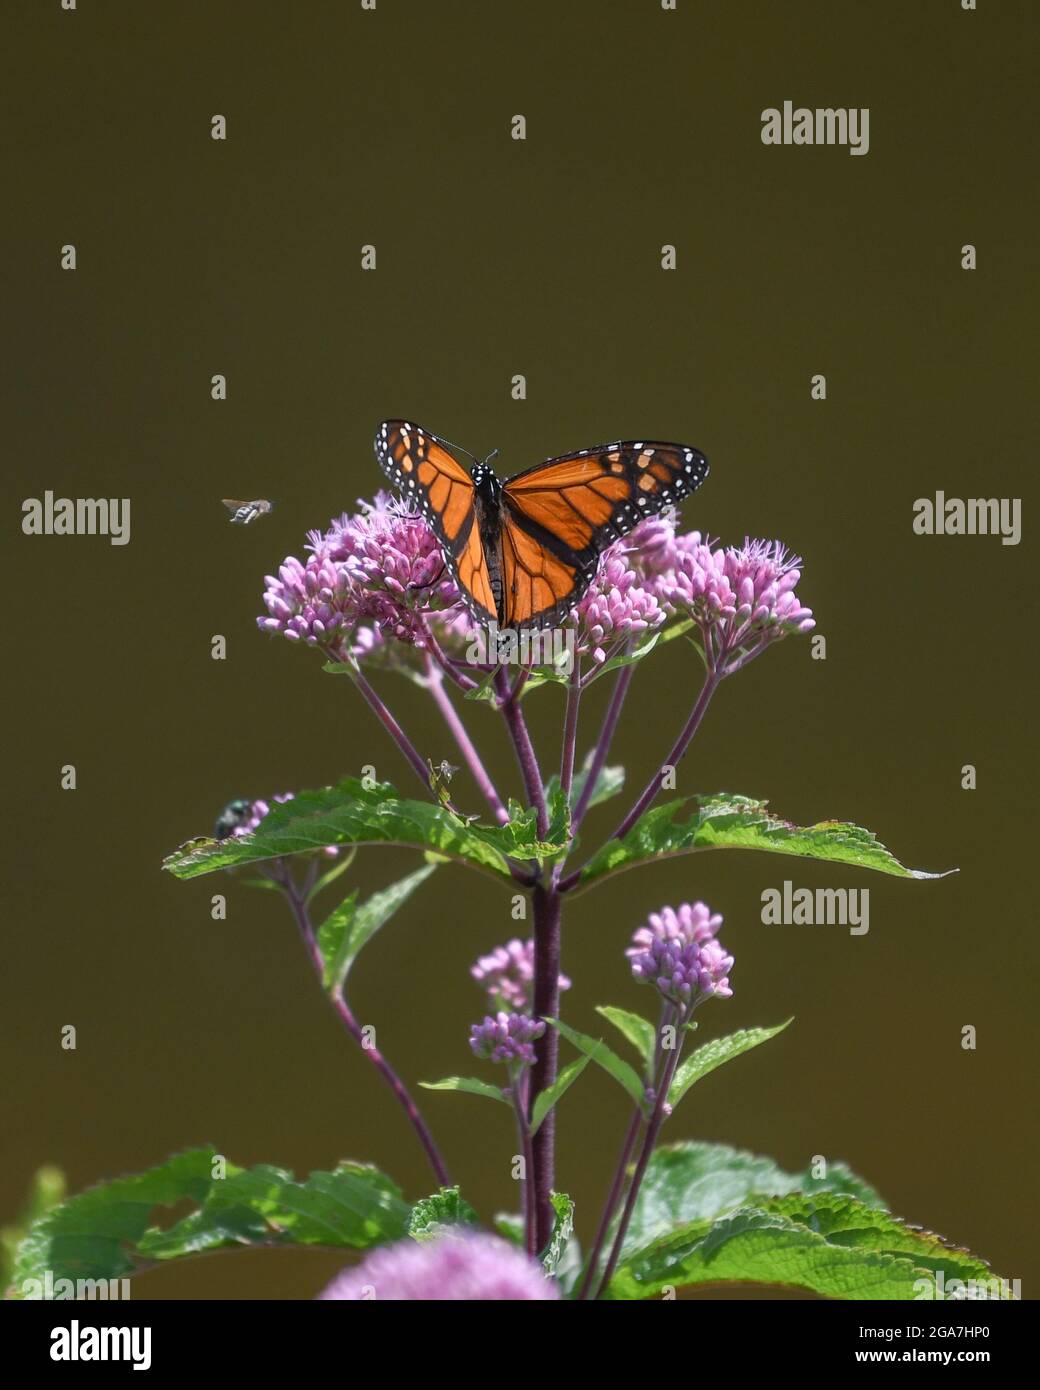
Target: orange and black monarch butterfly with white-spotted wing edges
<point x="525" y="551"/>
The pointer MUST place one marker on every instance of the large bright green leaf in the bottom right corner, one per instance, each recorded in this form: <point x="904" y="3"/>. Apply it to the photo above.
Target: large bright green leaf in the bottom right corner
<point x="828" y="1243"/>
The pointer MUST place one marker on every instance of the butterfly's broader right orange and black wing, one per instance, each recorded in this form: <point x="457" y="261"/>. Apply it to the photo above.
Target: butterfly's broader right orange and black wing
<point x="560" y="518"/>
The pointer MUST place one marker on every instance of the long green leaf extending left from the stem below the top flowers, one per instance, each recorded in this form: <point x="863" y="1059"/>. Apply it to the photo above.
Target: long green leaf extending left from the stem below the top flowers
<point x="352" y="814"/>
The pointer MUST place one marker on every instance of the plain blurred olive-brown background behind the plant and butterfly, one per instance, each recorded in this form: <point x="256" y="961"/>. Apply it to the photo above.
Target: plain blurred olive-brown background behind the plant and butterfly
<point x="500" y="258"/>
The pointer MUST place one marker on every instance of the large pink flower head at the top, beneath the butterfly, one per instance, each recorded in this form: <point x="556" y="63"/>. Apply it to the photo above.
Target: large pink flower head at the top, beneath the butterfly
<point x="380" y="576"/>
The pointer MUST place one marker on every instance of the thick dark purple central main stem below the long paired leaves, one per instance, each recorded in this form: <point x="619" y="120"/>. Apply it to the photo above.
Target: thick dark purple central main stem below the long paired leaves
<point x="547" y="1003"/>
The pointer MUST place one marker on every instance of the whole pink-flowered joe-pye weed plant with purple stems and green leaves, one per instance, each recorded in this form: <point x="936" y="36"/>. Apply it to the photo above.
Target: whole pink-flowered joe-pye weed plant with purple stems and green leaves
<point x="373" y="601"/>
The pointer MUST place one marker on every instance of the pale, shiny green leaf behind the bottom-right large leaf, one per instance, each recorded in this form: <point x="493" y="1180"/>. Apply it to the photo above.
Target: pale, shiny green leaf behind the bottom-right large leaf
<point x="693" y="1182"/>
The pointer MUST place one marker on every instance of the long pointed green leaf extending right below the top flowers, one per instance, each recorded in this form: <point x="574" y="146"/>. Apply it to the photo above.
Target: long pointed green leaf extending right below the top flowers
<point x="729" y="822"/>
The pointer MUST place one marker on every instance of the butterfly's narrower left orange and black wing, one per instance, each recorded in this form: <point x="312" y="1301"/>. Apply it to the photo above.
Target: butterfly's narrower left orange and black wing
<point x="426" y="475"/>
